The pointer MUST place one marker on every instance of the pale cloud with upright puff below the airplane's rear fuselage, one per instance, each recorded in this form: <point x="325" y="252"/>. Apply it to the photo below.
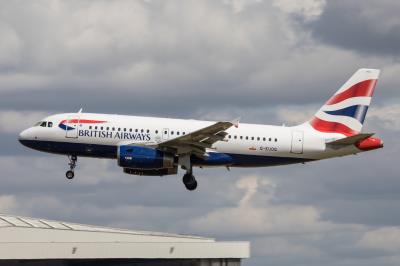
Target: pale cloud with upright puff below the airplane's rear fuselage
<point x="267" y="219"/>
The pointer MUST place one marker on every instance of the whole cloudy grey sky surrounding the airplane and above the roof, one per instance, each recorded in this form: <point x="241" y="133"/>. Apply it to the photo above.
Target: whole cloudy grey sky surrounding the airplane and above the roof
<point x="271" y="62"/>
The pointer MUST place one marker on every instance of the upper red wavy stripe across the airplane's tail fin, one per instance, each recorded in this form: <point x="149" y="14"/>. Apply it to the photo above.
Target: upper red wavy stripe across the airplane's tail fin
<point x="362" y="89"/>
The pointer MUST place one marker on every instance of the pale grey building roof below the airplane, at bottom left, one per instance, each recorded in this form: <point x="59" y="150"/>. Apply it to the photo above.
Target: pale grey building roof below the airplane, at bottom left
<point x="30" y="238"/>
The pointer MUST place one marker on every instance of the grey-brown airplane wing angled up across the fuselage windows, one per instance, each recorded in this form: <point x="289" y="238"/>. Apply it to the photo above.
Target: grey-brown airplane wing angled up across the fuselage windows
<point x="198" y="141"/>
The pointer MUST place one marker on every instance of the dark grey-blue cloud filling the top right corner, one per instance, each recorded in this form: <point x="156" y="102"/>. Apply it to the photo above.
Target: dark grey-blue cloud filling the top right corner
<point x="369" y="27"/>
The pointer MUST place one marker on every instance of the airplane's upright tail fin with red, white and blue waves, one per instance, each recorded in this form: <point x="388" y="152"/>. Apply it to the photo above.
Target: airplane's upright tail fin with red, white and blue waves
<point x="345" y="111"/>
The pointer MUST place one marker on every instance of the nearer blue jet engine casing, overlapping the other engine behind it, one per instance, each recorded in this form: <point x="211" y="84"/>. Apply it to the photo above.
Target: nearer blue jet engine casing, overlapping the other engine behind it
<point x="137" y="157"/>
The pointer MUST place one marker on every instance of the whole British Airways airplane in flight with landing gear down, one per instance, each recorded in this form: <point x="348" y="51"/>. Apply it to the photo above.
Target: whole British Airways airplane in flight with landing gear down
<point x="153" y="146"/>
